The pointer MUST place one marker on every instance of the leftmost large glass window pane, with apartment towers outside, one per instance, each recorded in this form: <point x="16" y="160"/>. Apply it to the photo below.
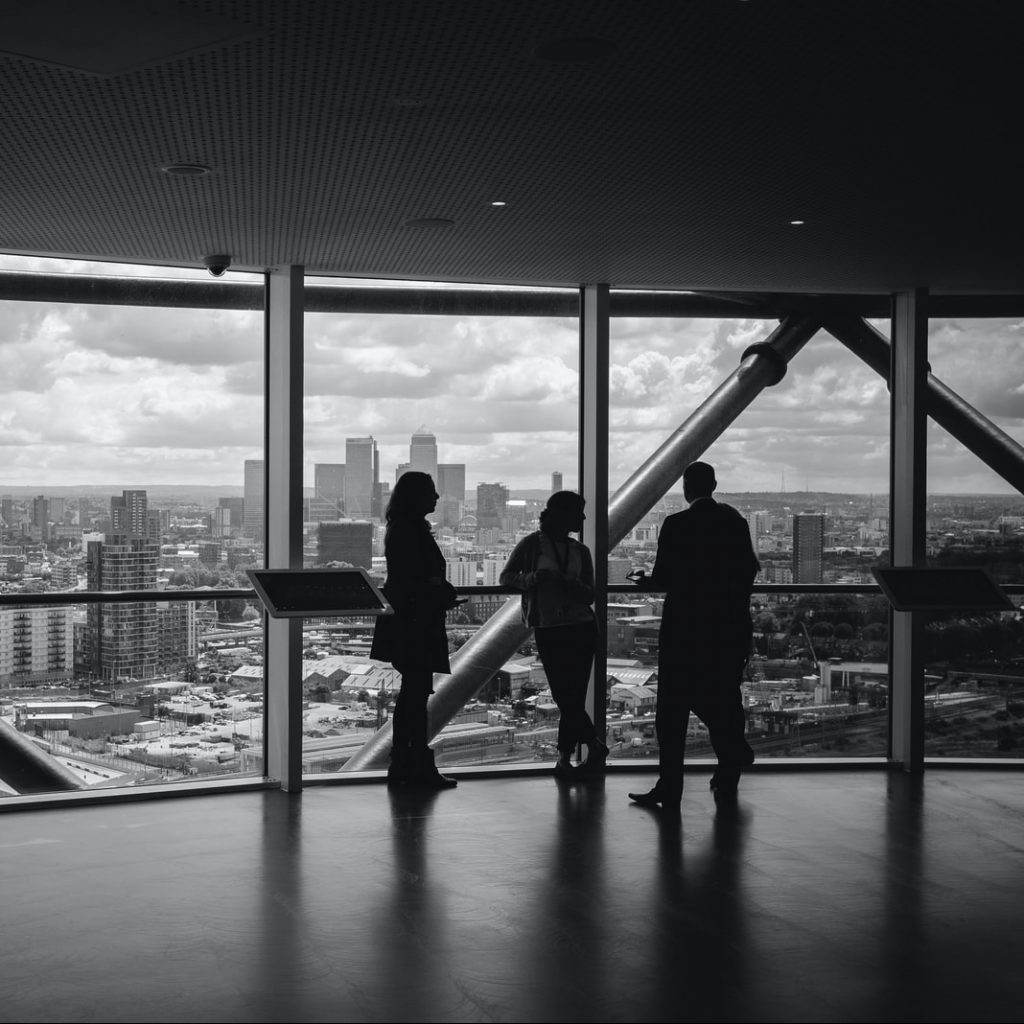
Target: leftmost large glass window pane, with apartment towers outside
<point x="126" y="433"/>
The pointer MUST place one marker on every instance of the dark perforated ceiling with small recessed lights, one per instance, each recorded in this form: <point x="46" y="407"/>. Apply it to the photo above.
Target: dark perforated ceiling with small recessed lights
<point x="647" y="145"/>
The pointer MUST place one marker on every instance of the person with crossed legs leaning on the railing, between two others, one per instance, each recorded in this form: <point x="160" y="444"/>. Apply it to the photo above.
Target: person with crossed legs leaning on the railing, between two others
<point x="556" y="574"/>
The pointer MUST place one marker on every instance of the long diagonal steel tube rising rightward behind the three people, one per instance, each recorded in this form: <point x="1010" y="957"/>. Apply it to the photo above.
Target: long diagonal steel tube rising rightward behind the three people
<point x="761" y="366"/>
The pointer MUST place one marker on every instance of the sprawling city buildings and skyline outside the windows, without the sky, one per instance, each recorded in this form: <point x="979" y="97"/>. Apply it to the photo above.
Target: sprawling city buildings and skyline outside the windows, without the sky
<point x="144" y="693"/>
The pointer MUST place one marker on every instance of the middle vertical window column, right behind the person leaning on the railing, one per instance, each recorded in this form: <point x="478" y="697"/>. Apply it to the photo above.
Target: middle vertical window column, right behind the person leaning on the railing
<point x="594" y="470"/>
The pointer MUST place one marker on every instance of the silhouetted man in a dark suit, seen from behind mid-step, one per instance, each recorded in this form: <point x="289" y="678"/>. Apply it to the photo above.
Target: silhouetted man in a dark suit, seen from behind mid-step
<point x="707" y="565"/>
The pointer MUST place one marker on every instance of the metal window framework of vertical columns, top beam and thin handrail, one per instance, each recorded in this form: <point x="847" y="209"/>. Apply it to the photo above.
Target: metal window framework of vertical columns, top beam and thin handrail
<point x="286" y="296"/>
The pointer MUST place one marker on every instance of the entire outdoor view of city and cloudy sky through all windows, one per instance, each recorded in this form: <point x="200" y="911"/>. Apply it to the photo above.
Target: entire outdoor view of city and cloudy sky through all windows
<point x="133" y="462"/>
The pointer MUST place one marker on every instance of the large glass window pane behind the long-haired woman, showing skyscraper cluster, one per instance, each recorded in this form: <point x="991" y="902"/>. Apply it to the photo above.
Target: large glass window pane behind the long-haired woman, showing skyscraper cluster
<point x="489" y="406"/>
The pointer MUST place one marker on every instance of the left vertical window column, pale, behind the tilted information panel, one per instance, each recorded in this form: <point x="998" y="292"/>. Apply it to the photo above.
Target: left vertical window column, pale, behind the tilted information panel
<point x="283" y="524"/>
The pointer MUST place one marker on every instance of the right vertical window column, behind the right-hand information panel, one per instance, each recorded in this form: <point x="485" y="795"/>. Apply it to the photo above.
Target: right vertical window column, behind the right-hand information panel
<point x="909" y="499"/>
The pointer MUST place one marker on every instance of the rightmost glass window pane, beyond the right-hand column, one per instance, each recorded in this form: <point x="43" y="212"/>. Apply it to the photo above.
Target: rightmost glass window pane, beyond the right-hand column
<point x="974" y="702"/>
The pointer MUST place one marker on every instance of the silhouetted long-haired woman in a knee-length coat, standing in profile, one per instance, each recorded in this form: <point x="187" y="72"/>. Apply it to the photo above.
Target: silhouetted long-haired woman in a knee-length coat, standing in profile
<point x="414" y="639"/>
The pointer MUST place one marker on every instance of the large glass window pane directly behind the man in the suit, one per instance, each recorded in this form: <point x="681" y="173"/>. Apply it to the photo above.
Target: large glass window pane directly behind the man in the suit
<point x="806" y="464"/>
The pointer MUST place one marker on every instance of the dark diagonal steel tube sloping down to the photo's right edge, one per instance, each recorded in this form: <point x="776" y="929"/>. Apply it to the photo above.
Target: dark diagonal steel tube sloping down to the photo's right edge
<point x="977" y="434"/>
